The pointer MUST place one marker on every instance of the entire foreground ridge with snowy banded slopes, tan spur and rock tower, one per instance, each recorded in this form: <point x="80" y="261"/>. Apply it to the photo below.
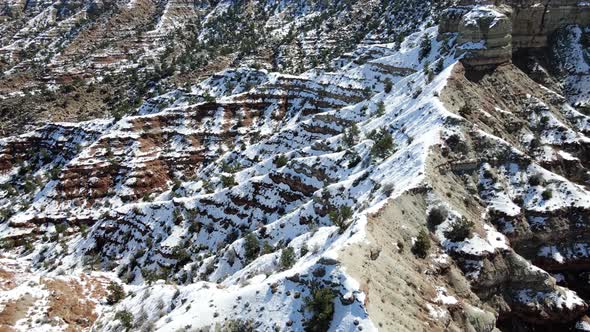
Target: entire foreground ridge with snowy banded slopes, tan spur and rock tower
<point x="434" y="184"/>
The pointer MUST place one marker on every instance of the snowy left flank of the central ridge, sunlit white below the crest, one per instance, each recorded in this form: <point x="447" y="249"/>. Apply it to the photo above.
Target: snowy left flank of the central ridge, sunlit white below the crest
<point x="414" y="123"/>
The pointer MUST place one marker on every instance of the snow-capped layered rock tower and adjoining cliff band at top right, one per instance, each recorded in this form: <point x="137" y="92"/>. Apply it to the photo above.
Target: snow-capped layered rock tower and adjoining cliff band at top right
<point x="489" y="31"/>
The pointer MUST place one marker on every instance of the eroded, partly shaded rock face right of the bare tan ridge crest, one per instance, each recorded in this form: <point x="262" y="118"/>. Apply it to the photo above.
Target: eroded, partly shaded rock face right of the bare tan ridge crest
<point x="537" y="233"/>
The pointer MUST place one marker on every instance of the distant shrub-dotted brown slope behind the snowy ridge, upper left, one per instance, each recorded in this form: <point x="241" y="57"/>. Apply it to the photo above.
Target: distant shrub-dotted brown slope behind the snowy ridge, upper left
<point x="79" y="60"/>
